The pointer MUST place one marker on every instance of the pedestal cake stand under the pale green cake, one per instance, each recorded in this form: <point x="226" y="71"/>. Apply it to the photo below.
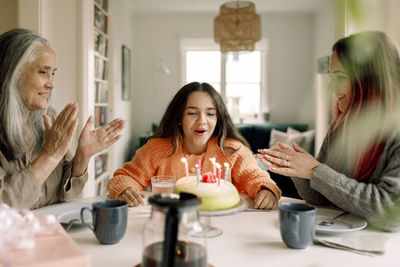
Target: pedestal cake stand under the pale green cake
<point x="205" y="217"/>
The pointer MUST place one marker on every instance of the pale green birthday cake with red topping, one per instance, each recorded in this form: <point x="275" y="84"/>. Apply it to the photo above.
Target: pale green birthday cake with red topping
<point x="213" y="196"/>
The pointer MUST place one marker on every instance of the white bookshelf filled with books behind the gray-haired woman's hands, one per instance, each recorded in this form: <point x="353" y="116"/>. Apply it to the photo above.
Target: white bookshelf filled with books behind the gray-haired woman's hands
<point x="96" y="79"/>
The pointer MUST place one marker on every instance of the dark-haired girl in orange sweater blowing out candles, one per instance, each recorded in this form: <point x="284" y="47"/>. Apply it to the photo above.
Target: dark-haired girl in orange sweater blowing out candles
<point x="197" y="126"/>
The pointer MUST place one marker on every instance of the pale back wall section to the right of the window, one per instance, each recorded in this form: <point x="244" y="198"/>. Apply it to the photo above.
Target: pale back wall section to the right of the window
<point x="290" y="66"/>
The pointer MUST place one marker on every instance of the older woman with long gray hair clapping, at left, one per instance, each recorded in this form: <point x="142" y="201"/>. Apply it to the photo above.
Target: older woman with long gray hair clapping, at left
<point x="36" y="168"/>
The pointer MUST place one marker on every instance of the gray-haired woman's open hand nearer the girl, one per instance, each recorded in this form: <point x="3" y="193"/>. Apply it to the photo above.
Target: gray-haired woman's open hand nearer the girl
<point x="92" y="141"/>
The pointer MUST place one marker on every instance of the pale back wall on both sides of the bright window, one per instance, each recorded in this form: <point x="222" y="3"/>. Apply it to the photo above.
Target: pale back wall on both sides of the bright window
<point x="289" y="67"/>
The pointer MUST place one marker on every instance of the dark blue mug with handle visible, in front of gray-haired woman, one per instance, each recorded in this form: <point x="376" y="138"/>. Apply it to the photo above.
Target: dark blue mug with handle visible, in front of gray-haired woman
<point x="109" y="220"/>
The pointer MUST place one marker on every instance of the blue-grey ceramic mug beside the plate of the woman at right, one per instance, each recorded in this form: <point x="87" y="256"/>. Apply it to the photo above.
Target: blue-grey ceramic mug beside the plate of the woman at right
<point x="297" y="224"/>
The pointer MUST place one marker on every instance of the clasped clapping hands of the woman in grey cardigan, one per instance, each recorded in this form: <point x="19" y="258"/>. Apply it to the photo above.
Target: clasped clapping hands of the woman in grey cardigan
<point x="289" y="161"/>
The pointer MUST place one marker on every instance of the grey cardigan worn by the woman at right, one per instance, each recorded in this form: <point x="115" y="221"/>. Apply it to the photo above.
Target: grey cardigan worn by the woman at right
<point x="377" y="199"/>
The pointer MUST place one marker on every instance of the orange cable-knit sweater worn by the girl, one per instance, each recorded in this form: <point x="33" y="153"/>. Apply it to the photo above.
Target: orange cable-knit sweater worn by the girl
<point x="154" y="159"/>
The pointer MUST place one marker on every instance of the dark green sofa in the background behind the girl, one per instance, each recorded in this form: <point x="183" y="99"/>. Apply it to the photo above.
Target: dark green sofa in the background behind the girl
<point x="259" y="136"/>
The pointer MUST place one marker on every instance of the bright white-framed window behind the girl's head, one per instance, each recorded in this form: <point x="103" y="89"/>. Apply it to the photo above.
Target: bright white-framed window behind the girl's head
<point x="238" y="77"/>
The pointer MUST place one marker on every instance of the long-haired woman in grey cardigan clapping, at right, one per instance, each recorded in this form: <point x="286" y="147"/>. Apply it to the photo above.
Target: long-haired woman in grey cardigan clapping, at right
<point x="358" y="166"/>
